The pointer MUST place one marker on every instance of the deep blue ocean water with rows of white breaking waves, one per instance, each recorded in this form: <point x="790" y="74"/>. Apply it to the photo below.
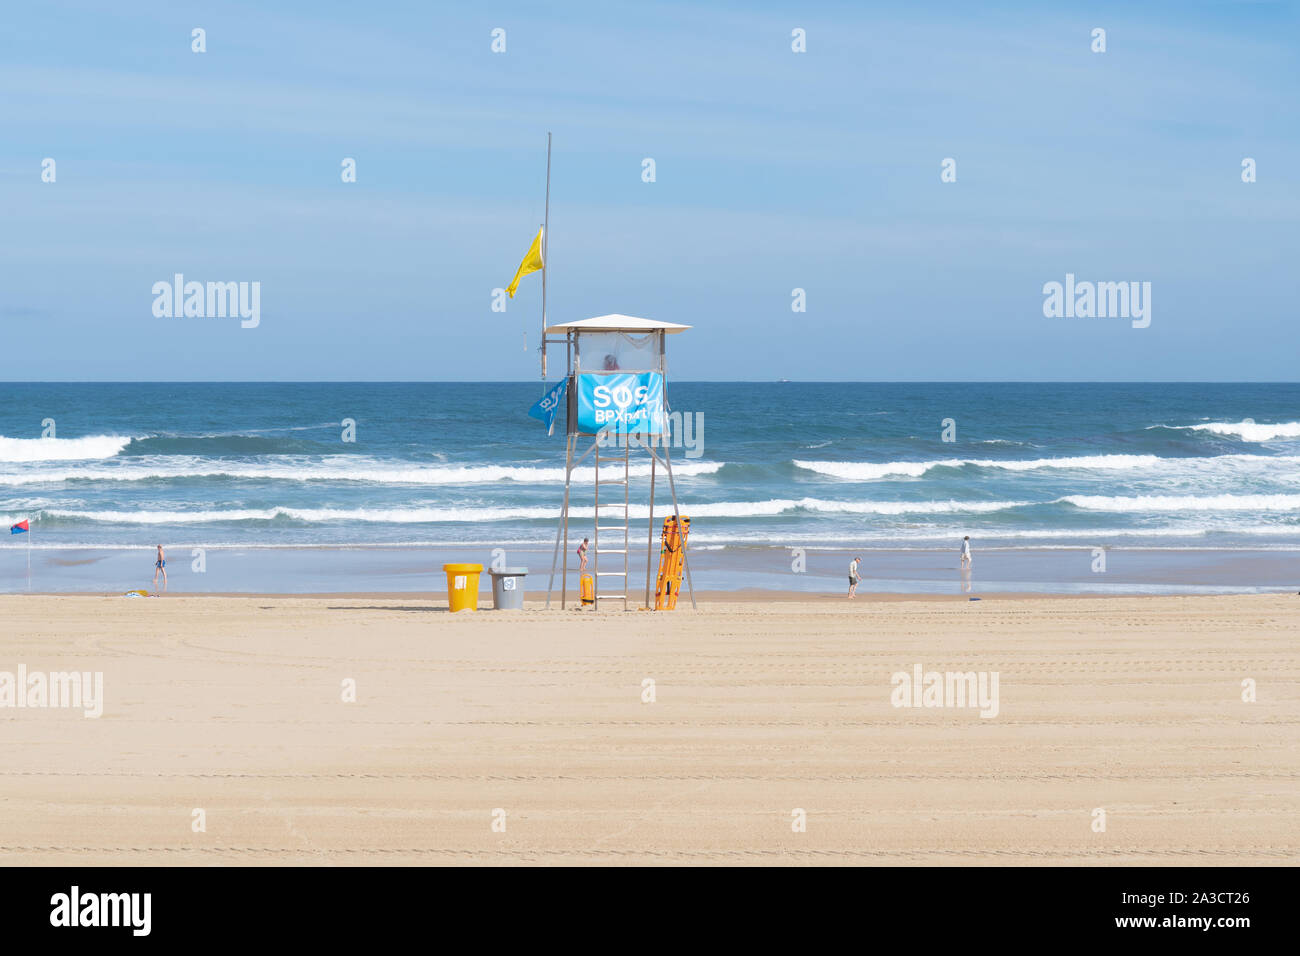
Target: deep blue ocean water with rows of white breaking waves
<point x="454" y="468"/>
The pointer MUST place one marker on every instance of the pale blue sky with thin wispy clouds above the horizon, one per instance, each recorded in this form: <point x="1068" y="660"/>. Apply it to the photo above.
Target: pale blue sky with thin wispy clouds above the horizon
<point x="774" y="171"/>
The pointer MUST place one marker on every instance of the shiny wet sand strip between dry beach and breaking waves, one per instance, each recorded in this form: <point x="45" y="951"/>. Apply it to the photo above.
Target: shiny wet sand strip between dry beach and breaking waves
<point x="1089" y="568"/>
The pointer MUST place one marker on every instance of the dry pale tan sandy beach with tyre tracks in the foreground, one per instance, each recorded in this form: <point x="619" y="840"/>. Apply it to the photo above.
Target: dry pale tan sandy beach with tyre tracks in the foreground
<point x="233" y="706"/>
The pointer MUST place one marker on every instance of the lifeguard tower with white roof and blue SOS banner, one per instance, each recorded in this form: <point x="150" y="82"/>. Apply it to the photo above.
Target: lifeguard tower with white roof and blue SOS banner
<point x="617" y="403"/>
